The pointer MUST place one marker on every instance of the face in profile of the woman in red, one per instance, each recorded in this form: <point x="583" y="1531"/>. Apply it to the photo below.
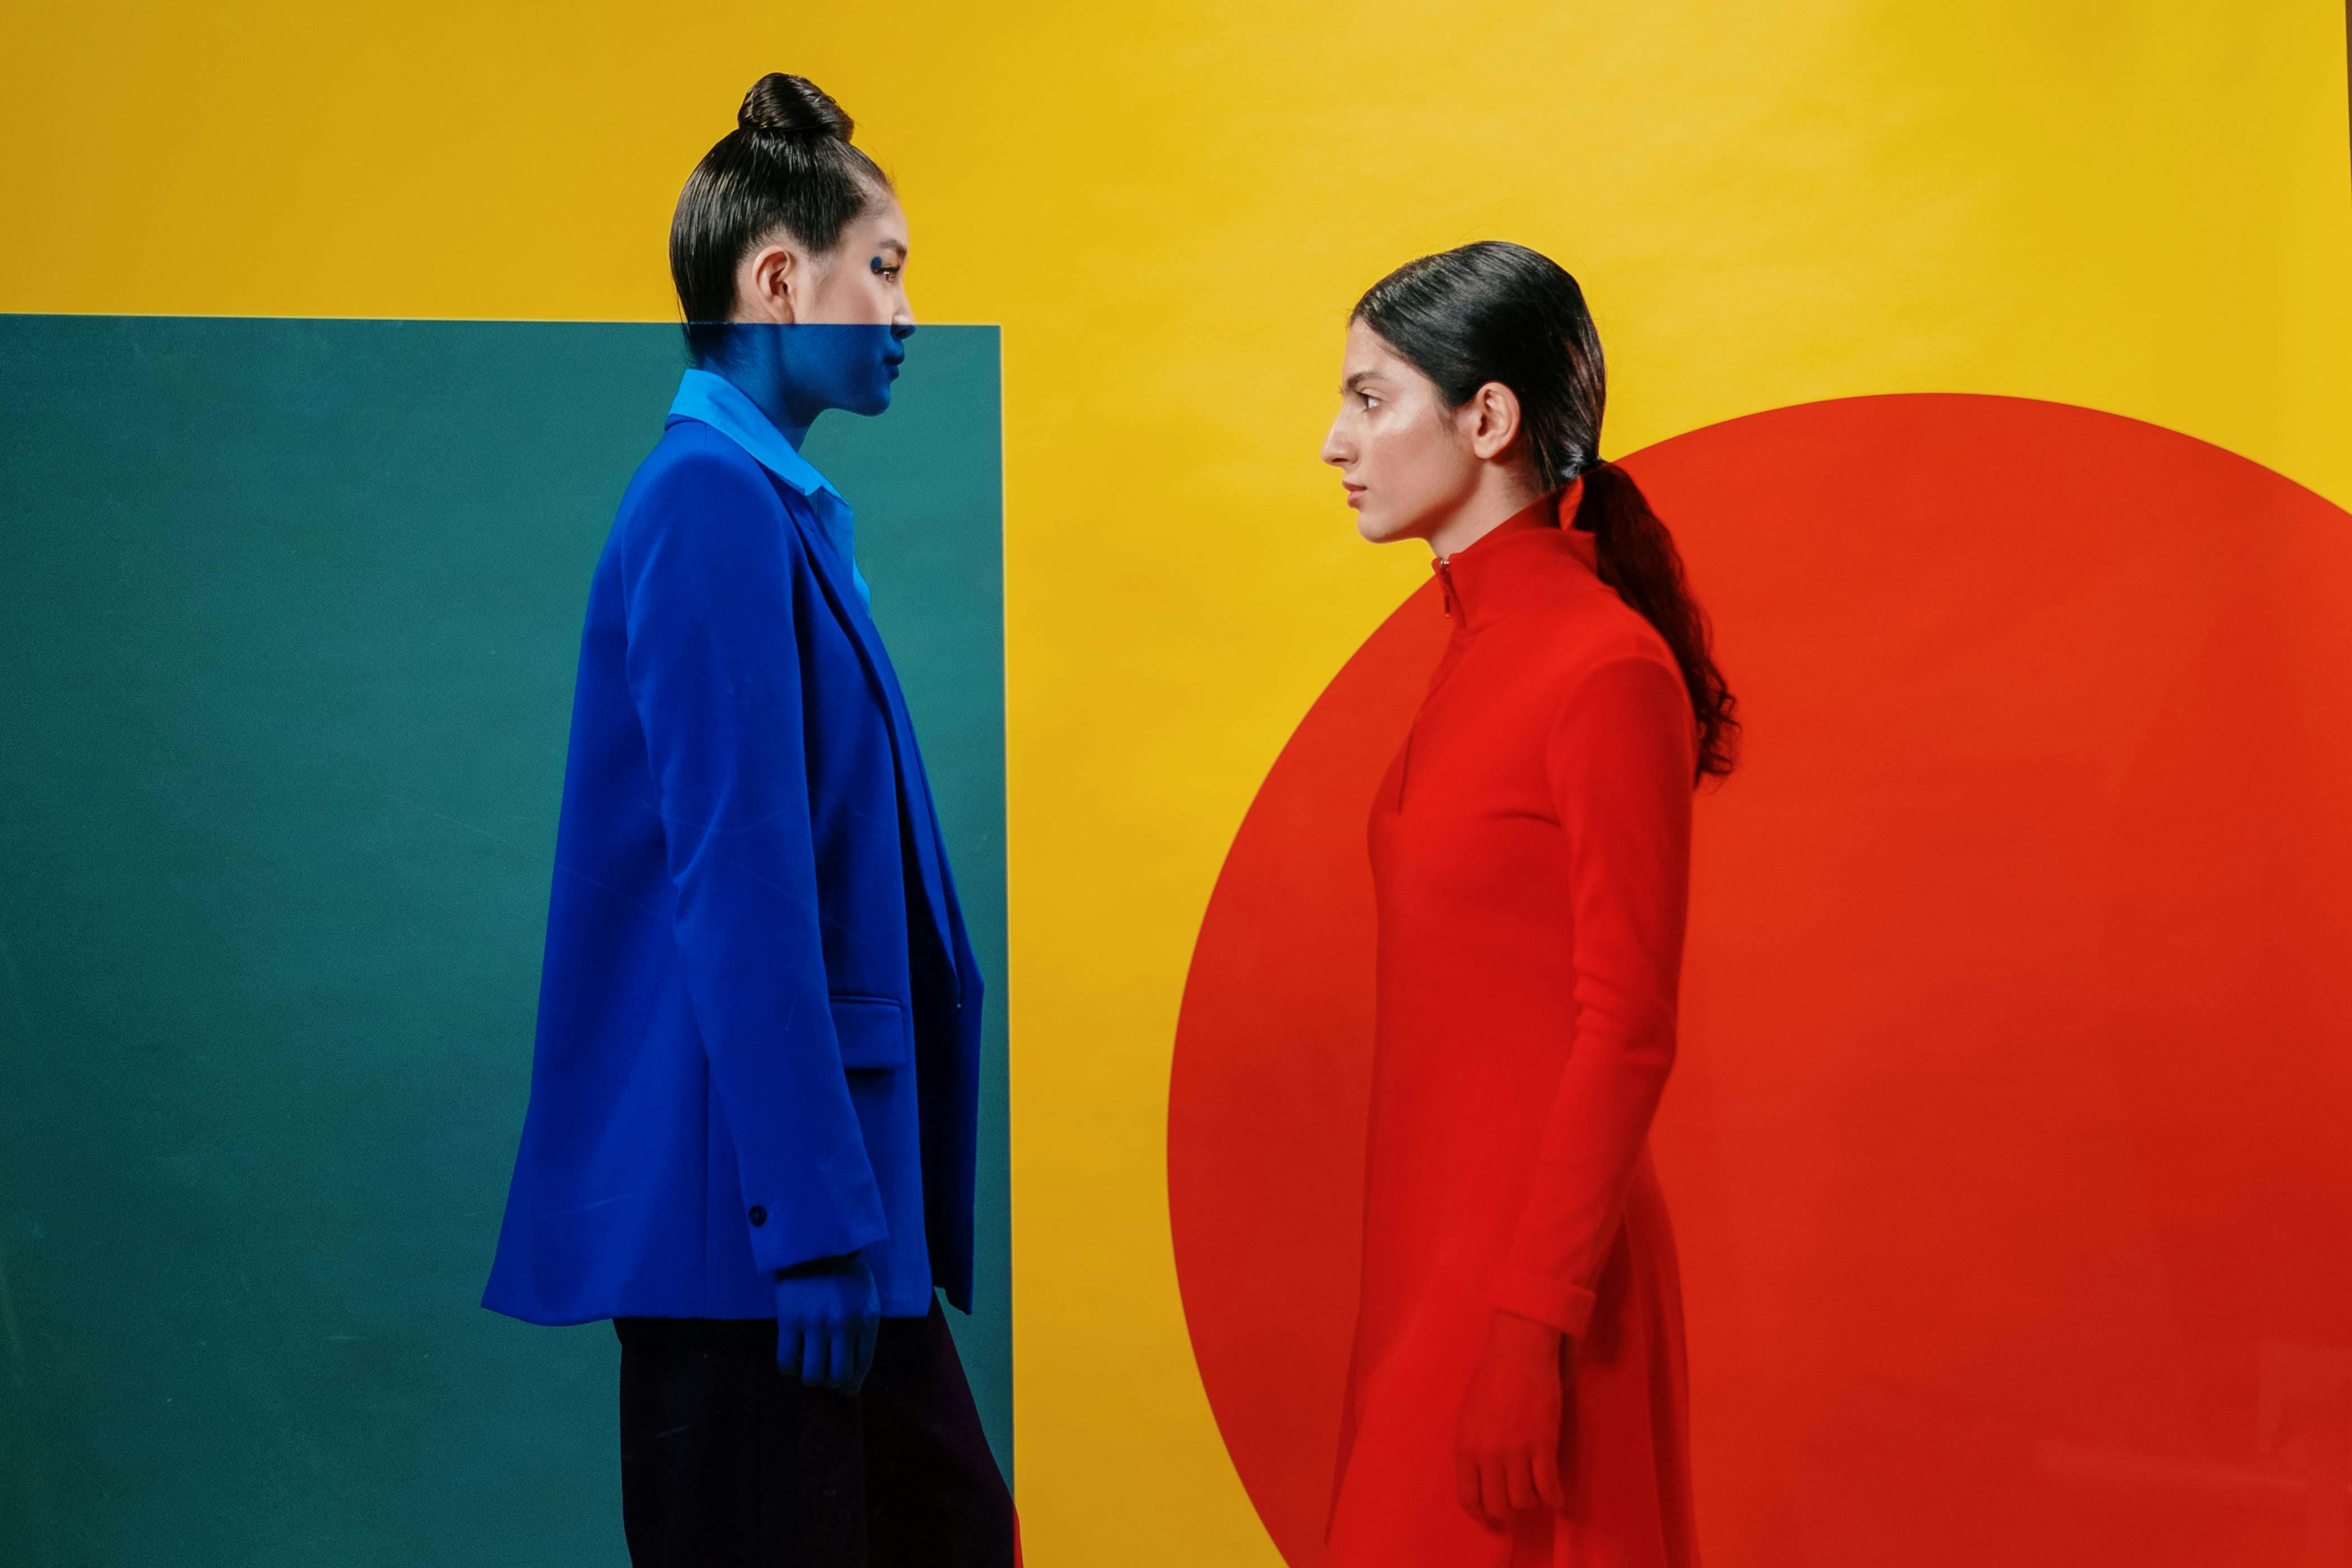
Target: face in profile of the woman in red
<point x="1396" y="443"/>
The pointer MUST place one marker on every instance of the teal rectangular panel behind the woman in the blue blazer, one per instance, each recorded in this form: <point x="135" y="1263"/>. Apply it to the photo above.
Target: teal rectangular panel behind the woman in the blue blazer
<point x="288" y="626"/>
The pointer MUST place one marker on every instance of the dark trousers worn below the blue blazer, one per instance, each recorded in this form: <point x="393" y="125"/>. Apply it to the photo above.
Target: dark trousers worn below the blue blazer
<point x="728" y="1463"/>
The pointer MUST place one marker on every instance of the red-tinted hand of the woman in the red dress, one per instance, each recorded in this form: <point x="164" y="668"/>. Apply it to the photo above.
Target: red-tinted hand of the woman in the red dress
<point x="1506" y="1445"/>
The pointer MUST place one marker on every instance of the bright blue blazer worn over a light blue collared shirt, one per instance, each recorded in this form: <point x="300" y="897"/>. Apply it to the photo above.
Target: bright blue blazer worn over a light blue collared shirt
<point x="759" y="1014"/>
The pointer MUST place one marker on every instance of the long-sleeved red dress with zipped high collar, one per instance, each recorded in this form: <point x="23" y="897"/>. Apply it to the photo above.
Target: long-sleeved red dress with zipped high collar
<point x="1530" y="852"/>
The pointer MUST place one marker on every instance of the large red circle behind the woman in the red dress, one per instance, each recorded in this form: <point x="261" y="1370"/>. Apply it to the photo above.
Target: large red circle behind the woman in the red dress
<point x="2012" y="1137"/>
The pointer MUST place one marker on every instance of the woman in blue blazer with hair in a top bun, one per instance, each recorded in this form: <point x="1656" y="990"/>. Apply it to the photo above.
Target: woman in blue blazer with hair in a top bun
<point x="754" y="1094"/>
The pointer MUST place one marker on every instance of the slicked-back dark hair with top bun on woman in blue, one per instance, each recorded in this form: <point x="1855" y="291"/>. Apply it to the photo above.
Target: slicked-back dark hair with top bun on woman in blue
<point x="784" y="166"/>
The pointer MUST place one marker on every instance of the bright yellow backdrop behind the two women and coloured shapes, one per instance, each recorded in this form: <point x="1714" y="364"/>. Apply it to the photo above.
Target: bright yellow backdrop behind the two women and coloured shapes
<point x="1170" y="208"/>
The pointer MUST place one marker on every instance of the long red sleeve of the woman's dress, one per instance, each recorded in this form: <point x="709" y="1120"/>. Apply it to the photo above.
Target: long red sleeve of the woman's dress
<point x="1622" y="765"/>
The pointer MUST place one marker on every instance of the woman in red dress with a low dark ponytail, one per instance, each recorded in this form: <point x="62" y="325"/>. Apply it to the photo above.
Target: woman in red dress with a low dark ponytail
<point x="1518" y="1383"/>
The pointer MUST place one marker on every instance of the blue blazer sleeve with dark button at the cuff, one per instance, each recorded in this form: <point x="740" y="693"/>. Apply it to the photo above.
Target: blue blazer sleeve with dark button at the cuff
<point x="714" y="669"/>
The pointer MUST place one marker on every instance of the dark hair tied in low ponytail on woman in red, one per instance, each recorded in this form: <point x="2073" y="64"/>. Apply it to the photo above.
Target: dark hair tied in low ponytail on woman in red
<point x="1506" y="314"/>
